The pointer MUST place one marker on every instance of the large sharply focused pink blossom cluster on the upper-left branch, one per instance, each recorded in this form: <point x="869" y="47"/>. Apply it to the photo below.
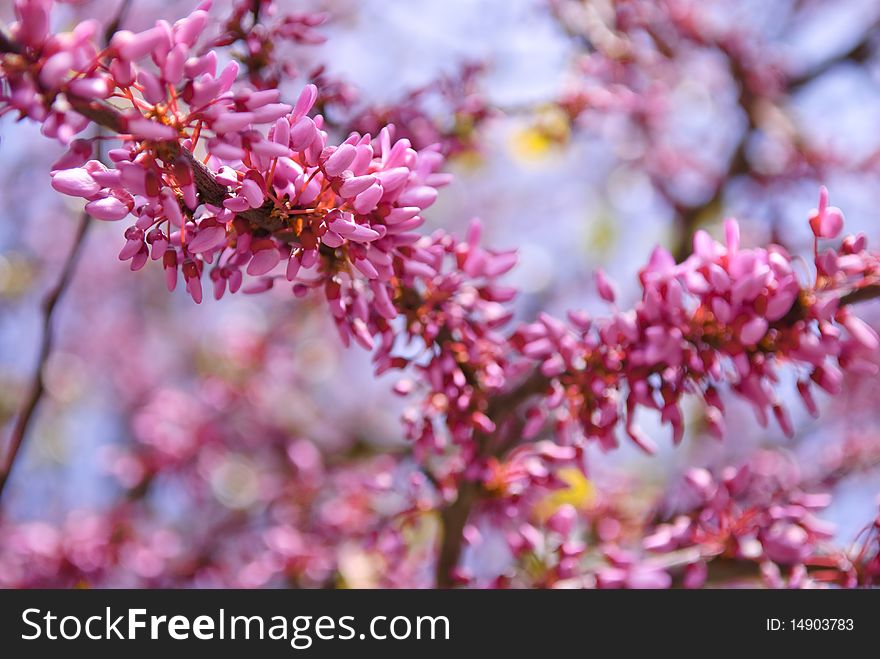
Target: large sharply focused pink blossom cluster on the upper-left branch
<point x="331" y="215"/>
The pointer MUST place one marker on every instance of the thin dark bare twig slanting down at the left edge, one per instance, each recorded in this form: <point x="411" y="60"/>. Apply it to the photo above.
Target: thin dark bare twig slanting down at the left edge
<point x="37" y="386"/>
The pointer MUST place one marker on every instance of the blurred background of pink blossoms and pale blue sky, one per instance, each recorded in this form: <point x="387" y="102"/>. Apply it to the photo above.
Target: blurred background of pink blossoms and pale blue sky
<point x="582" y="132"/>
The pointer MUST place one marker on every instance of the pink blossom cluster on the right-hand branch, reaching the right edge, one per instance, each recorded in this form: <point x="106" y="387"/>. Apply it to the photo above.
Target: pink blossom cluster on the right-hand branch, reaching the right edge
<point x="726" y="315"/>
